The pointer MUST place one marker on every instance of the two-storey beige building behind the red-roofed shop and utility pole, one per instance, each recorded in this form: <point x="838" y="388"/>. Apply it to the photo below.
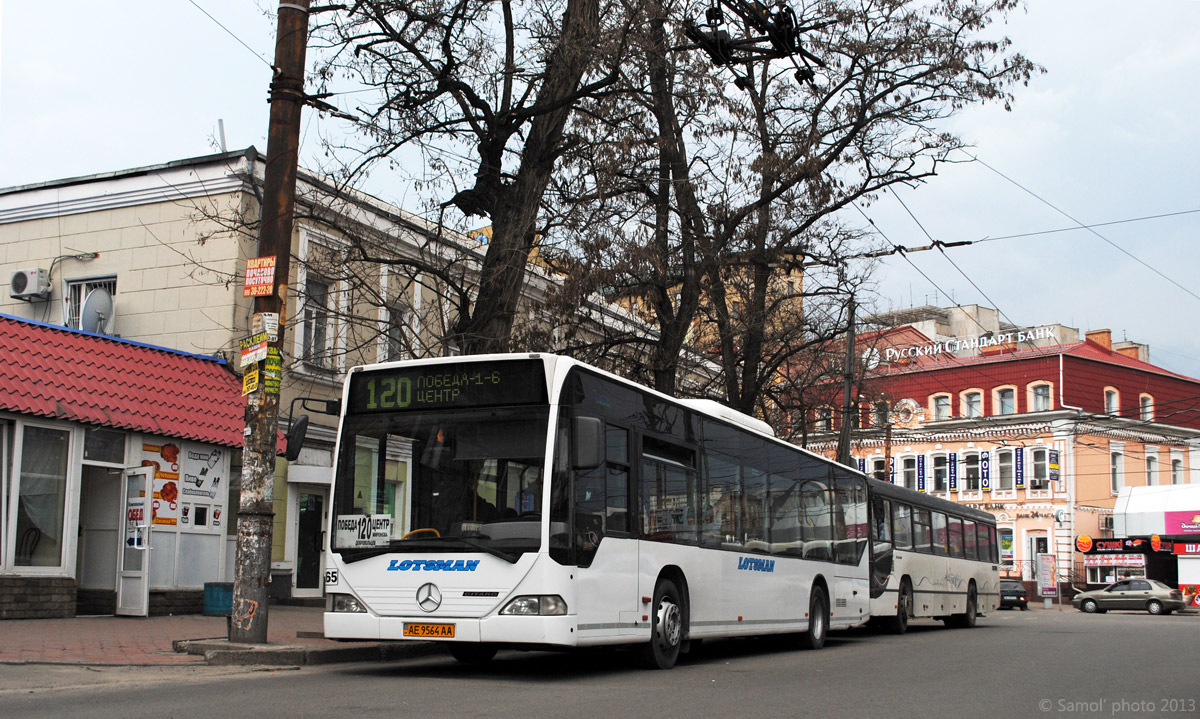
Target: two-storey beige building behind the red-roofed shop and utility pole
<point x="169" y="247"/>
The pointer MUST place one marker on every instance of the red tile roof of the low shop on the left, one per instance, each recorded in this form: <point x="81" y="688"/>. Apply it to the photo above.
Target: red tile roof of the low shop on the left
<point x="57" y="373"/>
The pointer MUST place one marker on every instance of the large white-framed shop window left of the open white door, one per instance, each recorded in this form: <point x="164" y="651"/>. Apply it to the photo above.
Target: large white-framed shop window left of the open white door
<point x="41" y="498"/>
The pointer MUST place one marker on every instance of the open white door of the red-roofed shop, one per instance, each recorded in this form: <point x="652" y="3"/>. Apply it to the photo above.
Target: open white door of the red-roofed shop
<point x="134" y="565"/>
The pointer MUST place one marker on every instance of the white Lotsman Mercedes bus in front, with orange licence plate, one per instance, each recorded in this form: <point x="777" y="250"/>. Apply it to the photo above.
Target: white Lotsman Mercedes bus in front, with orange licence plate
<point x="536" y="502"/>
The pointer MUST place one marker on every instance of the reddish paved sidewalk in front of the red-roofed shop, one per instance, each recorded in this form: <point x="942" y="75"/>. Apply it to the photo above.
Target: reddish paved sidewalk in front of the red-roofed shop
<point x="293" y="638"/>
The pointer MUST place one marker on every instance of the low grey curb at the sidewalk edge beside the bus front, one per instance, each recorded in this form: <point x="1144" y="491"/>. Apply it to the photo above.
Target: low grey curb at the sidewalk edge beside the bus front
<point x="221" y="652"/>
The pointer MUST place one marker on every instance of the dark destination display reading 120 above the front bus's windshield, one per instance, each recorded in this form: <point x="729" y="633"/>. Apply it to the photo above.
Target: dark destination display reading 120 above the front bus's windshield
<point x="445" y="386"/>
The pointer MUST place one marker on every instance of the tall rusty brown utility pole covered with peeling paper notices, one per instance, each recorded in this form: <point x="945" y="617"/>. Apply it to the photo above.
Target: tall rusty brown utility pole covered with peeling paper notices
<point x="256" y="512"/>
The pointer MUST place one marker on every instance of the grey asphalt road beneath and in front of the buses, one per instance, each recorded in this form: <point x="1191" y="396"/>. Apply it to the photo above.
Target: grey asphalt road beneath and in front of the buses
<point x="1015" y="664"/>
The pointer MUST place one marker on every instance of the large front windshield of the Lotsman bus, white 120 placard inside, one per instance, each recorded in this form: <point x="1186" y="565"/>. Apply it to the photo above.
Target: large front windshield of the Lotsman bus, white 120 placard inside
<point x="449" y="481"/>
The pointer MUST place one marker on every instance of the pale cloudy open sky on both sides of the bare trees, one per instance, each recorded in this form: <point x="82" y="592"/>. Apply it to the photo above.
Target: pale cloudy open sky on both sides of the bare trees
<point x="1108" y="135"/>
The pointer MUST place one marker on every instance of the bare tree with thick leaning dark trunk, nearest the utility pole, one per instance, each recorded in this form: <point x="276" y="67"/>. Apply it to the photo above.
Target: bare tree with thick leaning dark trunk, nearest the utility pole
<point x="497" y="81"/>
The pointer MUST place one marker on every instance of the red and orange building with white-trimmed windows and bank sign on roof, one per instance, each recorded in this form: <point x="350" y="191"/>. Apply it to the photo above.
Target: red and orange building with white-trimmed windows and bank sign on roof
<point x="1037" y="426"/>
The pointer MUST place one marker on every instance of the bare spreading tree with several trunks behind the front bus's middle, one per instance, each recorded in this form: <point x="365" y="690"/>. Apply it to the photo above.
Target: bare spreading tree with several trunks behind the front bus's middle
<point x="701" y="196"/>
